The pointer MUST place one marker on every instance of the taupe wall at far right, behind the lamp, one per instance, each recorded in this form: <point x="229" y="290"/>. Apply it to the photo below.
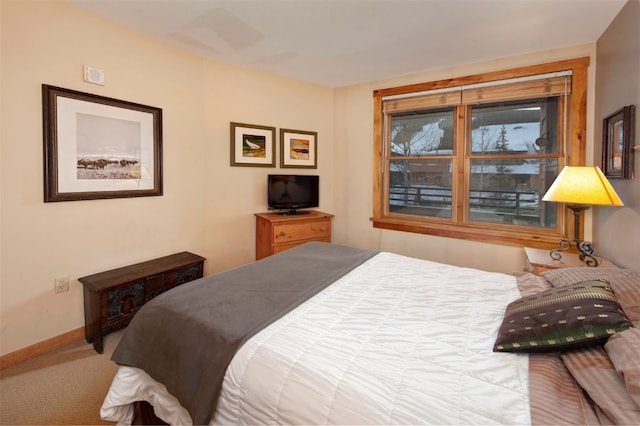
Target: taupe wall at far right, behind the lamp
<point x="618" y="85"/>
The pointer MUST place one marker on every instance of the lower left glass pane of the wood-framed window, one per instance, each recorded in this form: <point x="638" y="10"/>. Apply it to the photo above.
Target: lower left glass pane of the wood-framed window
<point x="420" y="187"/>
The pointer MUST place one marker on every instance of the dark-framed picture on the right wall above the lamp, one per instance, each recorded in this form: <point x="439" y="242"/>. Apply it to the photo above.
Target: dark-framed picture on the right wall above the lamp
<point x="617" y="143"/>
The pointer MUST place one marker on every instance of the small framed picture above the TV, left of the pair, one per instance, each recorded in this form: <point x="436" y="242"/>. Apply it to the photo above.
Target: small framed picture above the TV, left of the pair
<point x="253" y="146"/>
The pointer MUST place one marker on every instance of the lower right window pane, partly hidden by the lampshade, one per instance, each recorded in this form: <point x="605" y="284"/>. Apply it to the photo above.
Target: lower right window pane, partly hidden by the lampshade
<point x="510" y="191"/>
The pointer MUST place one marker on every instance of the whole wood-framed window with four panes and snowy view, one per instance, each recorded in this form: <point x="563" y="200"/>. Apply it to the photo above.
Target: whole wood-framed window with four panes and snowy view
<point x="472" y="157"/>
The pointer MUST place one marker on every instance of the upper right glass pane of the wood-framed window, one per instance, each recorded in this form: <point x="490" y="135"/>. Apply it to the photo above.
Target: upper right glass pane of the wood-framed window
<point x="522" y="127"/>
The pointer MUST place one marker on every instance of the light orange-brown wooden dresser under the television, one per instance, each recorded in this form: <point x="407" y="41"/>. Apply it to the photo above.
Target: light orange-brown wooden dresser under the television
<point x="276" y="233"/>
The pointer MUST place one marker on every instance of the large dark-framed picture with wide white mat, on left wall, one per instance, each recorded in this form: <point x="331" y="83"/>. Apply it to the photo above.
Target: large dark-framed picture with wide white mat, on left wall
<point x="97" y="147"/>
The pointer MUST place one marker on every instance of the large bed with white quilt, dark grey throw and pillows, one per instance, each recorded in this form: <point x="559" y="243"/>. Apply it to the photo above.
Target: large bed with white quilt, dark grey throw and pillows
<point x="329" y="334"/>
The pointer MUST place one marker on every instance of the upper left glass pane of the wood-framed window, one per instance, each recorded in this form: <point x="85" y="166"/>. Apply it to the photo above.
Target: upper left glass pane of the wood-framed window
<point x="422" y="133"/>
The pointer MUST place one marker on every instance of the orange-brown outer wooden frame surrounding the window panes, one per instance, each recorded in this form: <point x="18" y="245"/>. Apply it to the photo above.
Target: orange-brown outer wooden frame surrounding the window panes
<point x="574" y="154"/>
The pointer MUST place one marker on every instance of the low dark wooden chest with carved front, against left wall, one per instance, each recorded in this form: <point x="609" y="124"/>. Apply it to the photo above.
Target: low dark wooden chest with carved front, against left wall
<point x="112" y="298"/>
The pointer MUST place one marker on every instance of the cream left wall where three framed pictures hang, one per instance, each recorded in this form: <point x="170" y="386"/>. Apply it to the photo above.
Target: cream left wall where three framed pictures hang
<point x="207" y="205"/>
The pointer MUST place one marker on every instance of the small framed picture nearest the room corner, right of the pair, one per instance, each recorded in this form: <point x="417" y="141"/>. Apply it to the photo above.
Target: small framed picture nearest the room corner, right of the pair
<point x="298" y="149"/>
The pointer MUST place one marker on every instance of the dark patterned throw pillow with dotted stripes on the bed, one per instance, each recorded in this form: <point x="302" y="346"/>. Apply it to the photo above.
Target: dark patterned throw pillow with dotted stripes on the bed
<point x="578" y="315"/>
